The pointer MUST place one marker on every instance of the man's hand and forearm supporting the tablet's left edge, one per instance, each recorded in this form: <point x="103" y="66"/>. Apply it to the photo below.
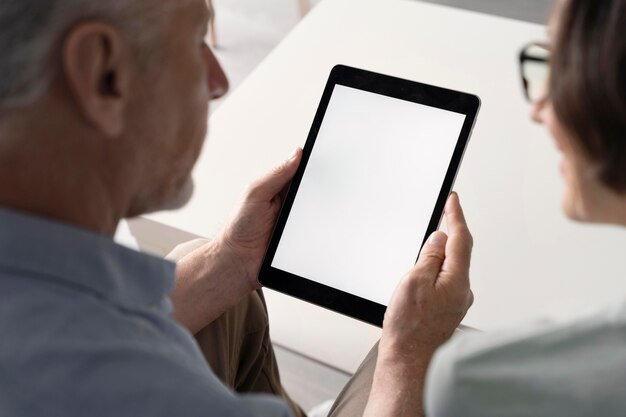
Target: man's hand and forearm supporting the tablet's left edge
<point x="213" y="276"/>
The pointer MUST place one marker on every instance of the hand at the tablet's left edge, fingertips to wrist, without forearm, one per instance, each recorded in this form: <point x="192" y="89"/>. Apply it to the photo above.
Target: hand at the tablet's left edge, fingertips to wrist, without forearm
<point x="246" y="236"/>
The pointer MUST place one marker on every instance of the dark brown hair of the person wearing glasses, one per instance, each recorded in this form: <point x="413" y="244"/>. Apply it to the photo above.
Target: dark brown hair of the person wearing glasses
<point x="588" y="82"/>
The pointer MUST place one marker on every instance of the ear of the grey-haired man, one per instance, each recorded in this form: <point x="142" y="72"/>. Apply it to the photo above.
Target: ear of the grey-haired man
<point x="97" y="63"/>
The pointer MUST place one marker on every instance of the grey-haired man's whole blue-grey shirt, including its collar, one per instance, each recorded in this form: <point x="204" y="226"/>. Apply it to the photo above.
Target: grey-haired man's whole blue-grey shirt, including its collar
<point x="86" y="330"/>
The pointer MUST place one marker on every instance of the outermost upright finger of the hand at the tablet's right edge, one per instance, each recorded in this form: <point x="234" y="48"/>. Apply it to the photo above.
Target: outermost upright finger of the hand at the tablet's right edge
<point x="460" y="242"/>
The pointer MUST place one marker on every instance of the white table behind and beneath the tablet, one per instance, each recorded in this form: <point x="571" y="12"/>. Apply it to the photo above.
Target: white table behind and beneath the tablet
<point x="529" y="262"/>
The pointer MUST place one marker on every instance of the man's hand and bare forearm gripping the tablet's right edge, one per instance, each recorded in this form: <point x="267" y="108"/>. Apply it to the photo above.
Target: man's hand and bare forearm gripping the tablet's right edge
<point x="426" y="308"/>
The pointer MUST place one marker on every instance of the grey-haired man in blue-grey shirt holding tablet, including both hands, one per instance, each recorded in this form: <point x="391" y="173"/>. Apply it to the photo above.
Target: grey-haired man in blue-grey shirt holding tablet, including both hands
<point x="103" y="108"/>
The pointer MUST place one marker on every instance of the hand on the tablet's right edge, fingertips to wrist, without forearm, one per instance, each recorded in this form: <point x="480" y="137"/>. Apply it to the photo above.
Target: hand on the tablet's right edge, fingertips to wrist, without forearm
<point x="434" y="296"/>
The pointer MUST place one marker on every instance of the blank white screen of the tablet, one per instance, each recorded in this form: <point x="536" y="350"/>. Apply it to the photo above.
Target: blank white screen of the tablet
<point x="368" y="192"/>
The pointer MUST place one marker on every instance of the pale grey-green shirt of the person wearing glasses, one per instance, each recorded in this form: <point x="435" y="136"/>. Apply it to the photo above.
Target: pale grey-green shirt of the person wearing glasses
<point x="564" y="370"/>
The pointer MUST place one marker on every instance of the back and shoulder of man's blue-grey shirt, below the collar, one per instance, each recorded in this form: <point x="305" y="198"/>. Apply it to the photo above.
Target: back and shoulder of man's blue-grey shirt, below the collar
<point x="70" y="354"/>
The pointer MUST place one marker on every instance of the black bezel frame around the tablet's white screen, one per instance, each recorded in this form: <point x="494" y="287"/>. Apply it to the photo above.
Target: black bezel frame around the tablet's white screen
<point x="323" y="295"/>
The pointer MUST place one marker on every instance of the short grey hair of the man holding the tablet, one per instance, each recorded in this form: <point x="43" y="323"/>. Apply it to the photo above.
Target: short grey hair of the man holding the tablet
<point x="31" y="31"/>
